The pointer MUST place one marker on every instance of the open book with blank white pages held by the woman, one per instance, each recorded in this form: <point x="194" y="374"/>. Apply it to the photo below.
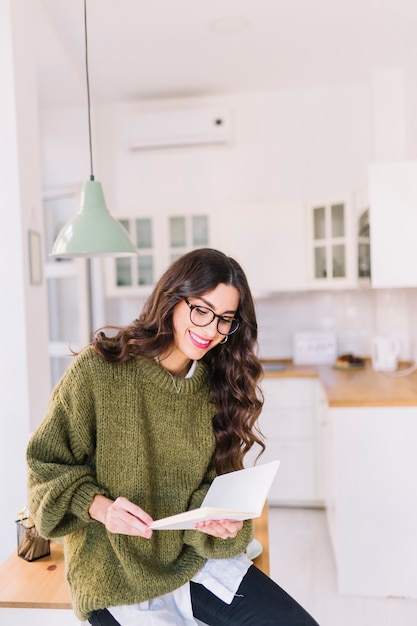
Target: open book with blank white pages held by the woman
<point x="237" y="495"/>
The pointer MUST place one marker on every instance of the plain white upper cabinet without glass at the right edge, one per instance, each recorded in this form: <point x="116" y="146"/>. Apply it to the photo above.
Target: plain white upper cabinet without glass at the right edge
<point x="393" y="220"/>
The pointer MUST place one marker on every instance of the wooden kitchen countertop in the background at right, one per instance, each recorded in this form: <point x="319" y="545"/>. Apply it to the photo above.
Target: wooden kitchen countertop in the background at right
<point x="361" y="387"/>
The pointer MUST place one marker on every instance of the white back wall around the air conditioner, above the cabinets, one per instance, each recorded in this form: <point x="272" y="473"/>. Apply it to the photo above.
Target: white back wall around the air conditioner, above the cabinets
<point x="287" y="145"/>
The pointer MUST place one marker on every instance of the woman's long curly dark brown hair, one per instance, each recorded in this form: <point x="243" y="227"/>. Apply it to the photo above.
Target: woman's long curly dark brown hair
<point x="234" y="368"/>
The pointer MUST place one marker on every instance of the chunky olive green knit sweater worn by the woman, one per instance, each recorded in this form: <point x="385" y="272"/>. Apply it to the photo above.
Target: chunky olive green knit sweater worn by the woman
<point x="124" y="430"/>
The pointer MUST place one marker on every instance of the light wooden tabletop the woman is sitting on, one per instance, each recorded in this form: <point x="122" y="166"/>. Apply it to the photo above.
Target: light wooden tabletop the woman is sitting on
<point x="42" y="584"/>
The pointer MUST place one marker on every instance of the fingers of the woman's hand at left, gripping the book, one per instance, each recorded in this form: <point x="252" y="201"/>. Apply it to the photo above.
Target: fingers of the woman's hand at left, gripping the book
<point x="127" y="518"/>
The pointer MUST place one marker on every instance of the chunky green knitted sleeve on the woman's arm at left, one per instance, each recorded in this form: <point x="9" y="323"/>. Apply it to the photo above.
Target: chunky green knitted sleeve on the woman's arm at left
<point x="60" y="457"/>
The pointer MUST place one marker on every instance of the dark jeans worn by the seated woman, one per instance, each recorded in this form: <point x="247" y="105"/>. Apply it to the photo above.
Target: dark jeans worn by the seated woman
<point x="258" y="602"/>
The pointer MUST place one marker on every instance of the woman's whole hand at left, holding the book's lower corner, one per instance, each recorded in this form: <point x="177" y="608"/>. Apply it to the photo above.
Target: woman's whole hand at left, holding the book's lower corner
<point x="121" y="516"/>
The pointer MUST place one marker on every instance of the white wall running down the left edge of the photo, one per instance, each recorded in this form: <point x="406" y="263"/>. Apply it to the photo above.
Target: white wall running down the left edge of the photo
<point x="24" y="366"/>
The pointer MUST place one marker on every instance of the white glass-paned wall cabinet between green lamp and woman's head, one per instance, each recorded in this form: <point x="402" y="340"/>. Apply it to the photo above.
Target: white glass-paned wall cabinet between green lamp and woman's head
<point x="160" y="240"/>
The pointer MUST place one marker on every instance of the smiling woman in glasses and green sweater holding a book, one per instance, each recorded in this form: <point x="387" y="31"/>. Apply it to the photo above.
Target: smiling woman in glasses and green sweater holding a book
<point x="136" y="430"/>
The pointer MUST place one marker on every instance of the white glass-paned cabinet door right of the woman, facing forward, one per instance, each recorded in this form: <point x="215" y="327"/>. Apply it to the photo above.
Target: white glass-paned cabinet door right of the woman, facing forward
<point x="332" y="245"/>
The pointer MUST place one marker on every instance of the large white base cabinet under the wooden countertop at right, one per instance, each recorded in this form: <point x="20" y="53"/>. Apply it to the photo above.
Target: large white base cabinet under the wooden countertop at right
<point x="371" y="499"/>
